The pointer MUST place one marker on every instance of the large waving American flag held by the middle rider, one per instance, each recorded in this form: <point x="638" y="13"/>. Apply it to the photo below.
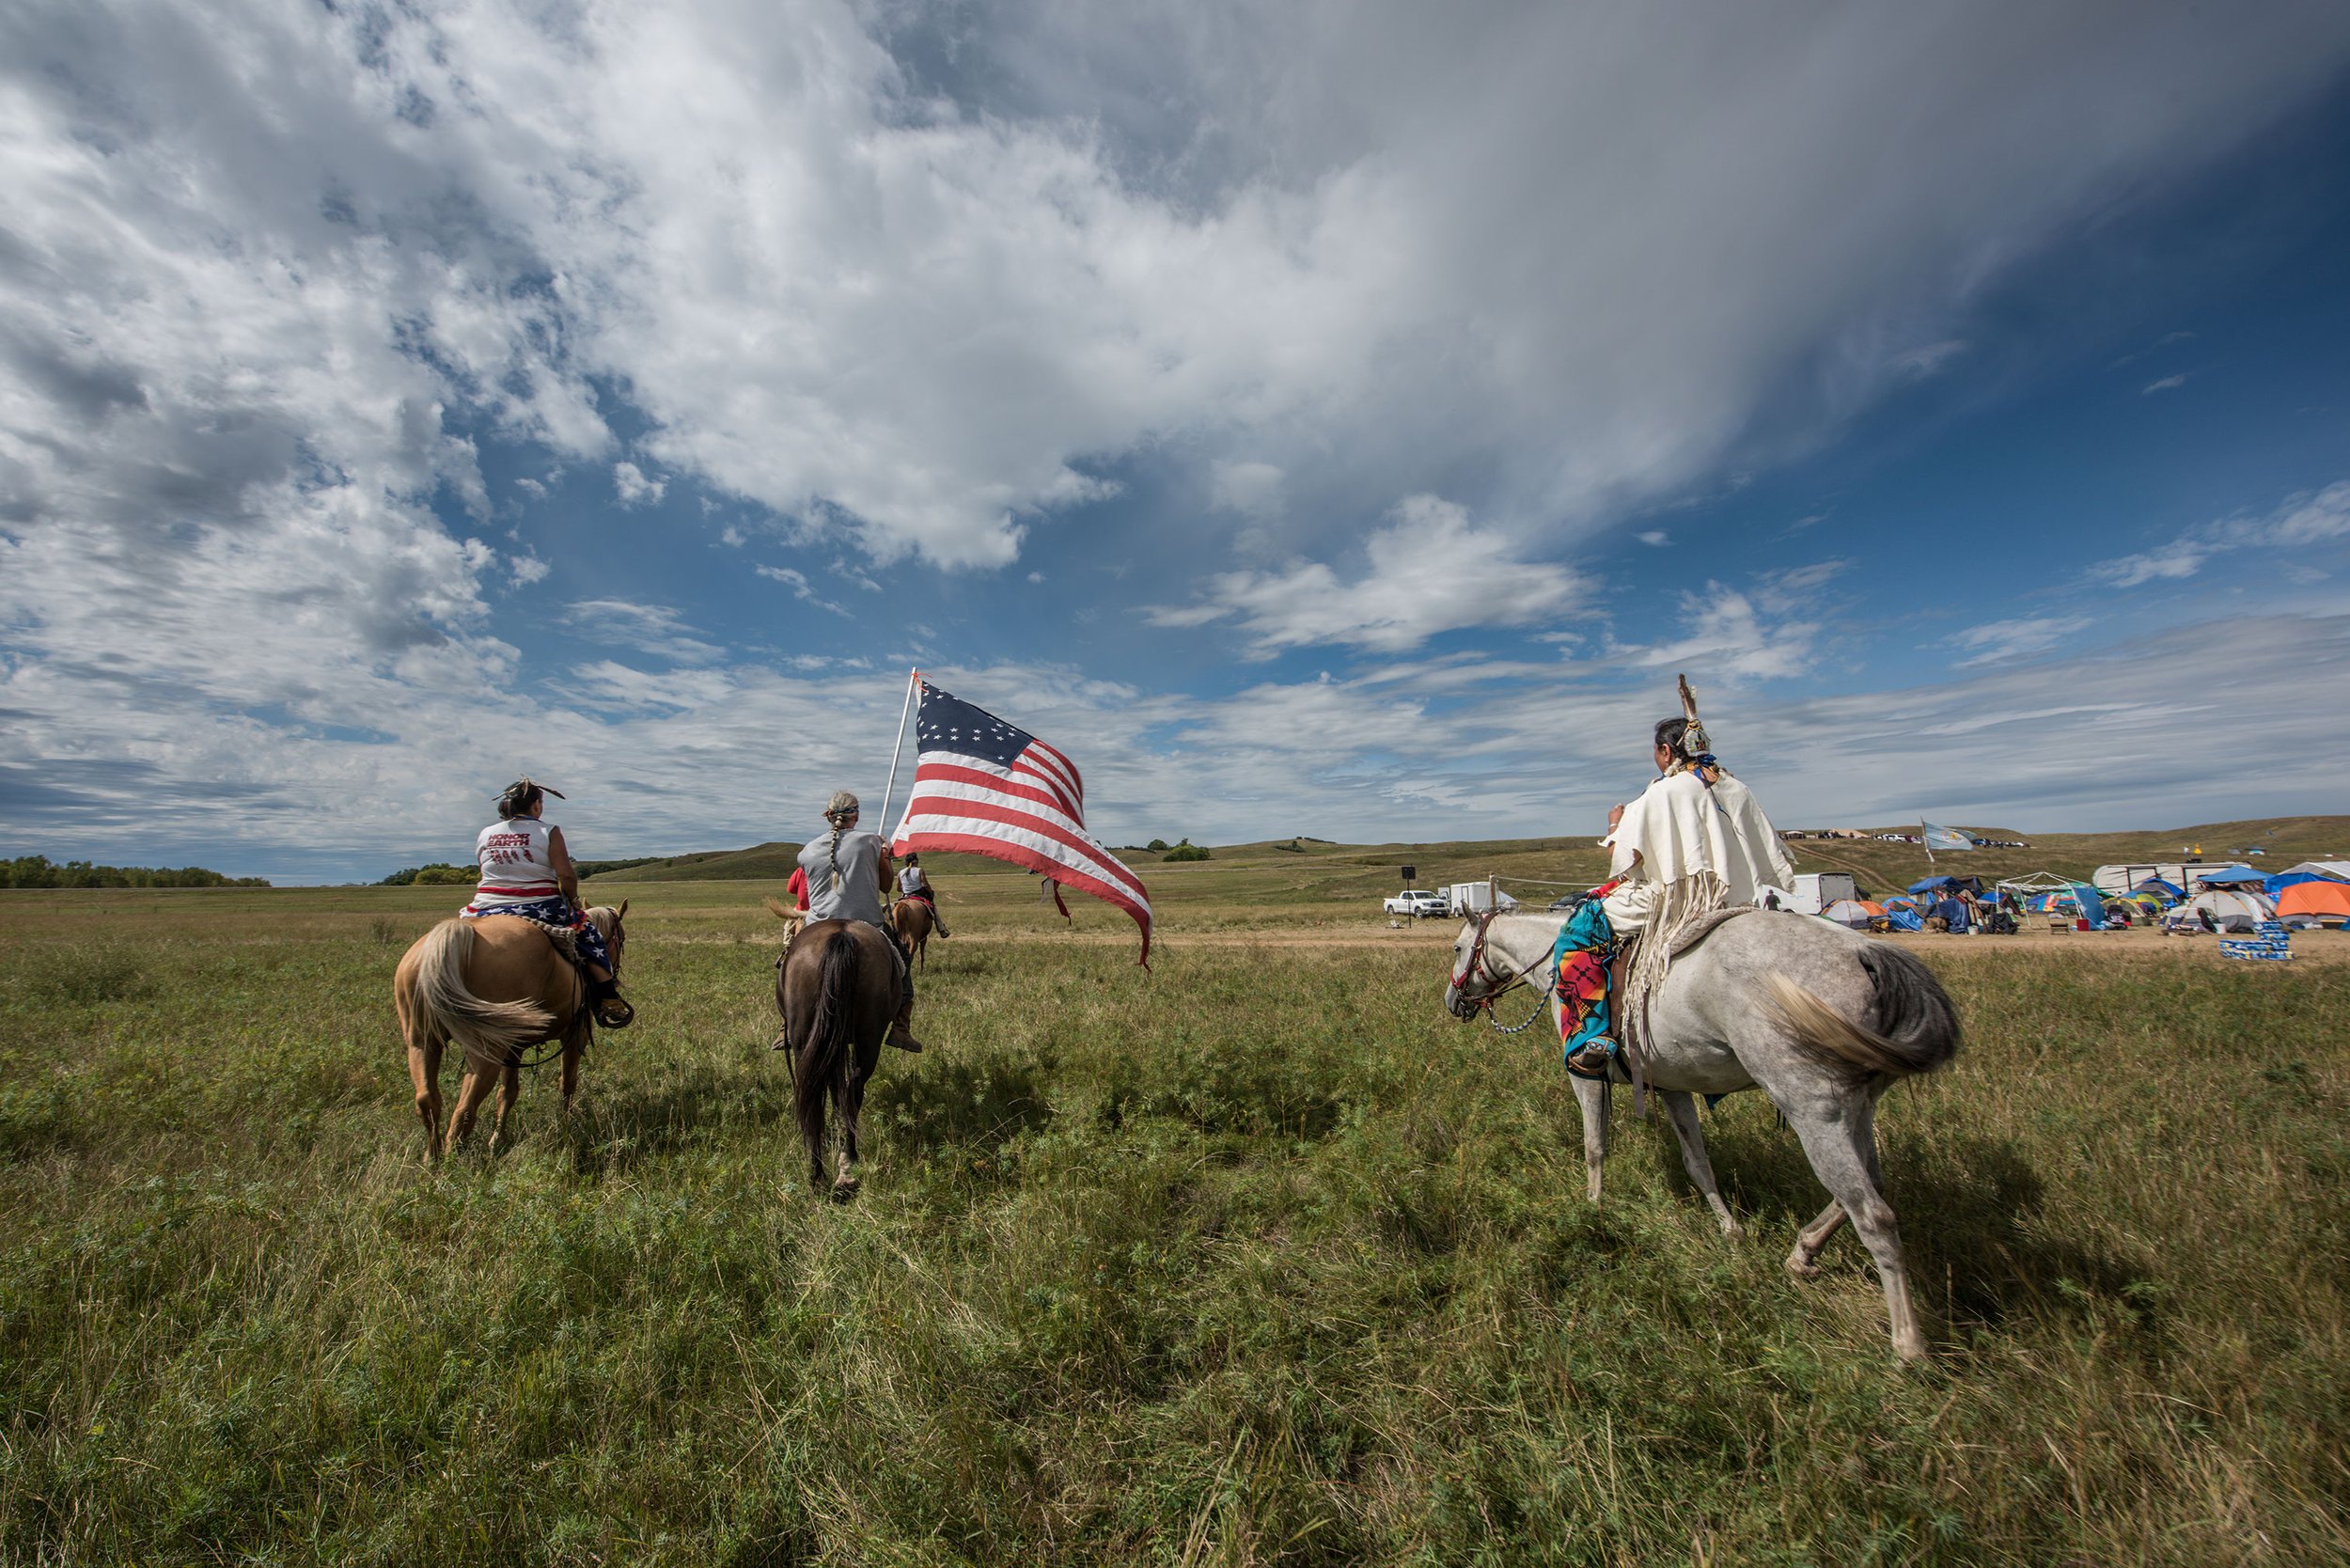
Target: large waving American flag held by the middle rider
<point x="991" y="789"/>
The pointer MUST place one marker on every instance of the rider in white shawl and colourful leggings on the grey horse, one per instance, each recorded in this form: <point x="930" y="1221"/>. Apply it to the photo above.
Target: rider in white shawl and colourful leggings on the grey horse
<point x="1696" y="843"/>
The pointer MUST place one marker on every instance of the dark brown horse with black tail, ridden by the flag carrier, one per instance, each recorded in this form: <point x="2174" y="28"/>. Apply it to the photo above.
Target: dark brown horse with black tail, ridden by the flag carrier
<point x="838" y="991"/>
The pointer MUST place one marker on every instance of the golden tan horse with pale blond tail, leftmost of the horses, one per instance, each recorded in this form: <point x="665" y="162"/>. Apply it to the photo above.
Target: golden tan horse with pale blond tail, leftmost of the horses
<point x="492" y="986"/>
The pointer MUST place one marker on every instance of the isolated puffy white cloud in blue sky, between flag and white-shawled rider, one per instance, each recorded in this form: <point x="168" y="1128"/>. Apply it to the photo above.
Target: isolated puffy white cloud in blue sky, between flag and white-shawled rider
<point x="1428" y="572"/>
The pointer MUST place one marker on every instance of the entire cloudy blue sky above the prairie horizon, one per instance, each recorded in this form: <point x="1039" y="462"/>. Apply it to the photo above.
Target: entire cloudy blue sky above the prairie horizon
<point x="1334" y="422"/>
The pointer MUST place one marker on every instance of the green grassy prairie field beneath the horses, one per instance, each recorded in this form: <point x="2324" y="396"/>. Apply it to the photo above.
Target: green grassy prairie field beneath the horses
<point x="1247" y="1259"/>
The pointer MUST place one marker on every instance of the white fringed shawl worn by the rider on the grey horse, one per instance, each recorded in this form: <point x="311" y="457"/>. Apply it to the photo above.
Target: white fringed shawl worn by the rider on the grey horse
<point x="1681" y="833"/>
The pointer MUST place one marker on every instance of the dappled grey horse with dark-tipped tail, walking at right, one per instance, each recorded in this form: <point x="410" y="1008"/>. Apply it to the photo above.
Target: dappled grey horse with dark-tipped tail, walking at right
<point x="1813" y="1014"/>
